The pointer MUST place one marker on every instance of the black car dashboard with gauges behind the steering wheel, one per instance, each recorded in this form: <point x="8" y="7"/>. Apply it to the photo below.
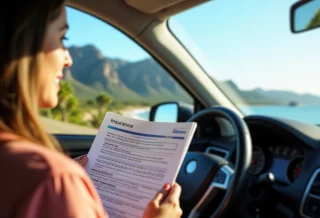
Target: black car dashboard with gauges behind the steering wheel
<point x="285" y="149"/>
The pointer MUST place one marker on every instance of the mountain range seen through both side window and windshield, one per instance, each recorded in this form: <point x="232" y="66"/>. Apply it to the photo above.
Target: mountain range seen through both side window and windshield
<point x="146" y="80"/>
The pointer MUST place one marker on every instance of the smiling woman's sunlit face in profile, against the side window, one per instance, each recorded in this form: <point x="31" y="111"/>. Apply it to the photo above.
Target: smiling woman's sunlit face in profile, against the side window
<point x="55" y="58"/>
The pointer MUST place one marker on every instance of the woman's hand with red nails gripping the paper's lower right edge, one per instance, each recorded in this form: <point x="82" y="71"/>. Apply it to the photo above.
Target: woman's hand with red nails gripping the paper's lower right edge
<point x="165" y="204"/>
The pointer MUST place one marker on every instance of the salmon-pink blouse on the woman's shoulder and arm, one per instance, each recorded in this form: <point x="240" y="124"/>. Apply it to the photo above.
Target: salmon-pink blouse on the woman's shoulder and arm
<point x="37" y="182"/>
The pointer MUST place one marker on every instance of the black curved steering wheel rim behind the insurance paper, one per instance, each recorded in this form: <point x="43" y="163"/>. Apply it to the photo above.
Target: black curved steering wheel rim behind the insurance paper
<point x="243" y="154"/>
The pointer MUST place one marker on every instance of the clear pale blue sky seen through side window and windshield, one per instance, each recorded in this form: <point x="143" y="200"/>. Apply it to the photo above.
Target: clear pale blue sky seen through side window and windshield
<point x="248" y="42"/>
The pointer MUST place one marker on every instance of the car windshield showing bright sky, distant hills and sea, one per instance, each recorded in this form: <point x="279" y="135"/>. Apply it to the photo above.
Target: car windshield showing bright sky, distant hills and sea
<point x="249" y="51"/>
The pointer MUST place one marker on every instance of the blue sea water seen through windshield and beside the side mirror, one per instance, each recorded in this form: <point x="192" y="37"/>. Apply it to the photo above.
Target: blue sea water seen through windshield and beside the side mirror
<point x="305" y="113"/>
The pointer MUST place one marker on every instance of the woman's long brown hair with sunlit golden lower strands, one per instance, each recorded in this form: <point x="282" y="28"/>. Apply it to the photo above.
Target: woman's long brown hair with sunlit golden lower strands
<point x="23" y="27"/>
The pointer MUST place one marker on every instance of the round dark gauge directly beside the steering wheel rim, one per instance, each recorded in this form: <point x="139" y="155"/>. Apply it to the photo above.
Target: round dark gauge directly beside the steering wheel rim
<point x="258" y="161"/>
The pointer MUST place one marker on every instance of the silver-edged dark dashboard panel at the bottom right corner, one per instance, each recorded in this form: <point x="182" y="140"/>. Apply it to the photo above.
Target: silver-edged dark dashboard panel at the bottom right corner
<point x="310" y="206"/>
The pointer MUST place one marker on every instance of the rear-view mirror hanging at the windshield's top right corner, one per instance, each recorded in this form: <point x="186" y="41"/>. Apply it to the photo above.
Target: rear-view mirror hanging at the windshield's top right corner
<point x="305" y="15"/>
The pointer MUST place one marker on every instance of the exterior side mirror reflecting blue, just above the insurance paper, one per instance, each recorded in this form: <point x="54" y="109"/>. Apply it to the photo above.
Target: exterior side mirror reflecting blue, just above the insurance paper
<point x="170" y="112"/>
